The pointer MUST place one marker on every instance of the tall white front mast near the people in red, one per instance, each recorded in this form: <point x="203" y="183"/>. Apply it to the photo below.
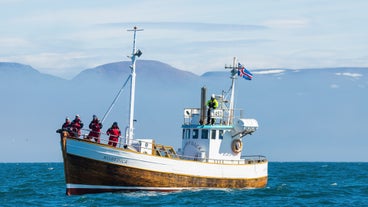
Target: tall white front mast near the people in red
<point x="135" y="53"/>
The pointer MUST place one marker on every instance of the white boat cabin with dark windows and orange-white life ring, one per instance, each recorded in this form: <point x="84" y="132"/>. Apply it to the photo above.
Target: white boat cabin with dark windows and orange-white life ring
<point x="218" y="141"/>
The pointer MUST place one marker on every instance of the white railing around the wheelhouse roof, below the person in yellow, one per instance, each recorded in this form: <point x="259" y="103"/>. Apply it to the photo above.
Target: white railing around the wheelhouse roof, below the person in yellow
<point x="222" y="116"/>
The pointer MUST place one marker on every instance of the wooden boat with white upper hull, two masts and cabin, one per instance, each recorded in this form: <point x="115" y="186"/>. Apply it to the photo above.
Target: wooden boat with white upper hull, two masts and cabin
<point x="210" y="156"/>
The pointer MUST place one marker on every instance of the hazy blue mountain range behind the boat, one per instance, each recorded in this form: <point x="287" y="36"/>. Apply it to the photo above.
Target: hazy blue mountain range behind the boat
<point x="304" y="114"/>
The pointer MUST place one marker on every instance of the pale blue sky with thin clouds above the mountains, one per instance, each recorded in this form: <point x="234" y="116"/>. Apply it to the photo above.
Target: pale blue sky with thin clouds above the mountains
<point x="64" y="37"/>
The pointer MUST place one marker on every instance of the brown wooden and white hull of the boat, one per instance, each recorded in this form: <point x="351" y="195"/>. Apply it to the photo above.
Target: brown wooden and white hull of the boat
<point x="96" y="168"/>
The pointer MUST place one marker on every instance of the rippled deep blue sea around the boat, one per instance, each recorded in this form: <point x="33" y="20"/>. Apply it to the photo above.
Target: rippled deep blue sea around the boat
<point x="290" y="184"/>
